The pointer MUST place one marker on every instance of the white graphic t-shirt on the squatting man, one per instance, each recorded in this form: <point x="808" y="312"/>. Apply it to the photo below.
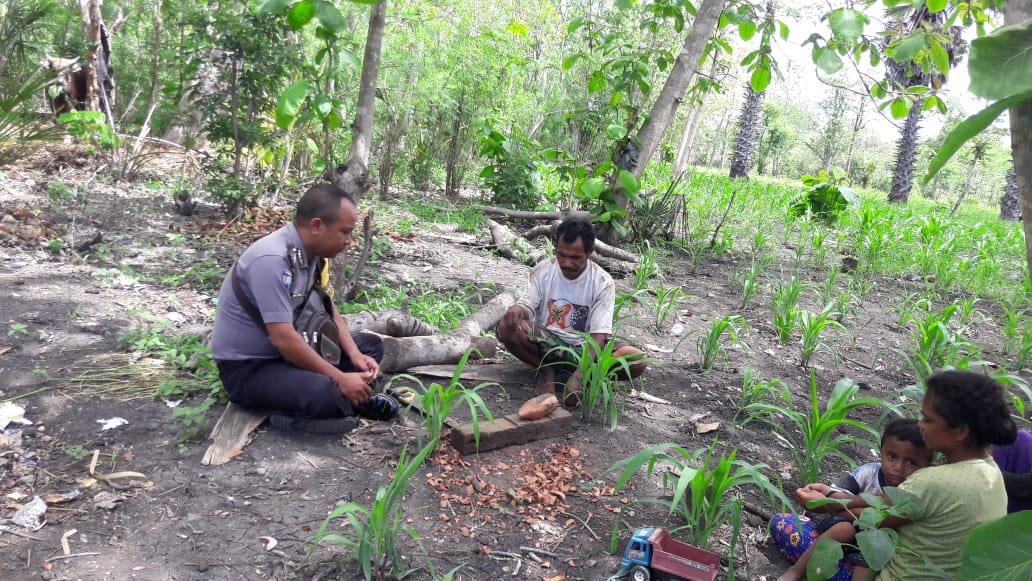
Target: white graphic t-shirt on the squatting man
<point x="564" y="307"/>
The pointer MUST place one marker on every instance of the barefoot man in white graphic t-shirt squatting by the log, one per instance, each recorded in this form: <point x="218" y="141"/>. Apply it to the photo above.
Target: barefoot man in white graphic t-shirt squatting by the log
<point x="566" y="297"/>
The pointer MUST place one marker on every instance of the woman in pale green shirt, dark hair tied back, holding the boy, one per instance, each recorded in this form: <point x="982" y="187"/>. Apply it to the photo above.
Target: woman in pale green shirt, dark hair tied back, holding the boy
<point x="963" y="414"/>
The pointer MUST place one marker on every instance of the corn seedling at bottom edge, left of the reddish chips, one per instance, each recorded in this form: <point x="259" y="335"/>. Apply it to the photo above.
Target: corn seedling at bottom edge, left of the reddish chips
<point x="372" y="534"/>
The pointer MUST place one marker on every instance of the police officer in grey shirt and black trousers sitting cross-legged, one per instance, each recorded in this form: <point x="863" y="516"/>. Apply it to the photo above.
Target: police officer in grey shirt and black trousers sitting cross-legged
<point x="271" y="367"/>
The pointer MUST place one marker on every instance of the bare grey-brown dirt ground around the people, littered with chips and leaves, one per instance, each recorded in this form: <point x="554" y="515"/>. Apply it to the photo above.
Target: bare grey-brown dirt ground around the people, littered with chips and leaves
<point x="61" y="316"/>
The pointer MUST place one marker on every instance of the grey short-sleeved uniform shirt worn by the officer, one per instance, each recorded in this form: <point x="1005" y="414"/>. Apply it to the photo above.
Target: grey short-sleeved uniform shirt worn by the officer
<point x="268" y="279"/>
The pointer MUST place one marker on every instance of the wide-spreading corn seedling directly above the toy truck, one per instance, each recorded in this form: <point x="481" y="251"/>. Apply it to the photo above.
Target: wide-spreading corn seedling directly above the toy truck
<point x="704" y="487"/>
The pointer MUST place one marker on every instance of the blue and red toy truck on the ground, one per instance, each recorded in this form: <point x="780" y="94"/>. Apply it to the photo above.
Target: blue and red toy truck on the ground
<point x="655" y="550"/>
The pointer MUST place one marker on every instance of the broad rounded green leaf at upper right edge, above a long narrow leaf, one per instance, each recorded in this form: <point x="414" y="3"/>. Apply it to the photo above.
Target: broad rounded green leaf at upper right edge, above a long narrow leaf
<point x="1002" y="63"/>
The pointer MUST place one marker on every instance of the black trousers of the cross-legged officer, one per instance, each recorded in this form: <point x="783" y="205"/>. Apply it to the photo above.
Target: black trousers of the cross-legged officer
<point x="276" y="385"/>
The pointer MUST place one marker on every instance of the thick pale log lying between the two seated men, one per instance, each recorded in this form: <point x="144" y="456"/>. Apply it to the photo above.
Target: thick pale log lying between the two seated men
<point x="403" y="353"/>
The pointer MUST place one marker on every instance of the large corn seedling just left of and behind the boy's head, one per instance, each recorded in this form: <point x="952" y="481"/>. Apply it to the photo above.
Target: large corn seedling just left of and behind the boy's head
<point x="813" y="436"/>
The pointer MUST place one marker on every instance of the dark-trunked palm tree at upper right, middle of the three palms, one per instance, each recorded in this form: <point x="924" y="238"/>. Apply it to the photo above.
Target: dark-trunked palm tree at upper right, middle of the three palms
<point x="909" y="74"/>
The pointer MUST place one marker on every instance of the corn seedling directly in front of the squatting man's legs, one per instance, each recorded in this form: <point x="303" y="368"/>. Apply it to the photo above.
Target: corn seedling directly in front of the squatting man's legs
<point x="600" y="378"/>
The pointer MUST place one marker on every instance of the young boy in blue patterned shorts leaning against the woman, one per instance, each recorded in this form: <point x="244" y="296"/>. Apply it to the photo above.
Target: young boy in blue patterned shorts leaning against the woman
<point x="902" y="451"/>
